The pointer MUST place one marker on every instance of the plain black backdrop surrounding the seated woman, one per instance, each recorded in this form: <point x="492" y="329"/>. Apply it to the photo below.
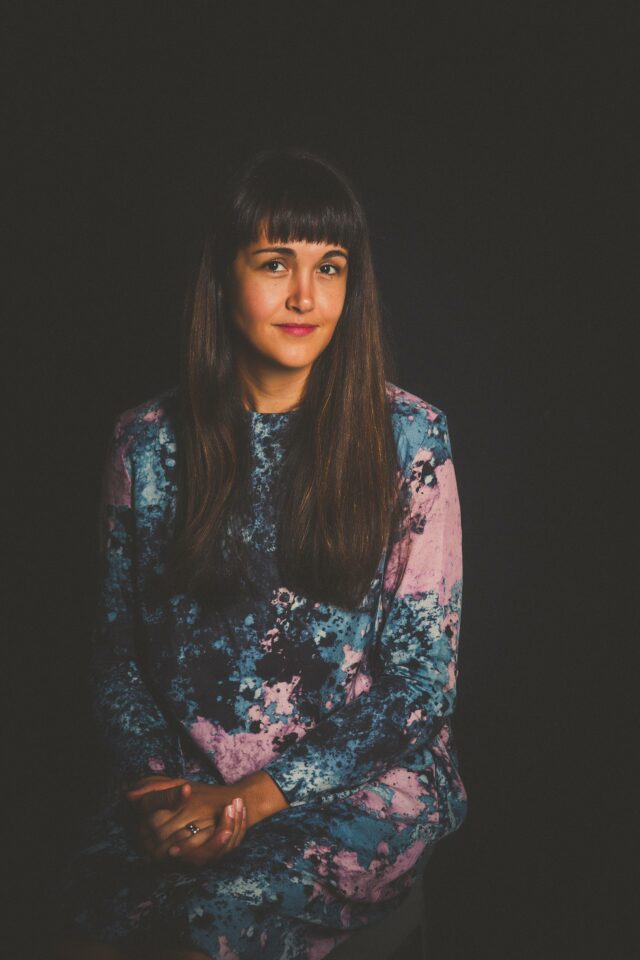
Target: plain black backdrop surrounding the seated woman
<point x="490" y="144"/>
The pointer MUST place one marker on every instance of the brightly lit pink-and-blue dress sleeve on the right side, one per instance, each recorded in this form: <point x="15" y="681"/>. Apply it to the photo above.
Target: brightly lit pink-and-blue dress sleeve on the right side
<point x="415" y="649"/>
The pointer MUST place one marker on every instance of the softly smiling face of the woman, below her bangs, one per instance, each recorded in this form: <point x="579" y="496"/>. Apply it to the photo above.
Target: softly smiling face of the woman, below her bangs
<point x="287" y="300"/>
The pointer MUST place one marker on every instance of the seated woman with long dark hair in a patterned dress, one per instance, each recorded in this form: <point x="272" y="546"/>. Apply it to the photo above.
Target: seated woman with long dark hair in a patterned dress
<point x="275" y="654"/>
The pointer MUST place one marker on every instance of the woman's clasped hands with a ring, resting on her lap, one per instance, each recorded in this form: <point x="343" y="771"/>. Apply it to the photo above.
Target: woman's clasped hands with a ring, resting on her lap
<point x="166" y="806"/>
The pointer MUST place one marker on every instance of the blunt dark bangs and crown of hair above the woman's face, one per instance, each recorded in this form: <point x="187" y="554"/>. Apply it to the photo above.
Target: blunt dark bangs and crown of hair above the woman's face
<point x="297" y="199"/>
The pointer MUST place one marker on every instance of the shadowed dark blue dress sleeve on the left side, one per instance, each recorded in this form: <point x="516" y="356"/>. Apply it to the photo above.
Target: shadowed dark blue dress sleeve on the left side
<point x="129" y="719"/>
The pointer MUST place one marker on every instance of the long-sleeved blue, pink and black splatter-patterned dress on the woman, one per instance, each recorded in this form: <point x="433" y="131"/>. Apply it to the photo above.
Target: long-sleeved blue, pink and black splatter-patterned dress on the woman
<point x="348" y="711"/>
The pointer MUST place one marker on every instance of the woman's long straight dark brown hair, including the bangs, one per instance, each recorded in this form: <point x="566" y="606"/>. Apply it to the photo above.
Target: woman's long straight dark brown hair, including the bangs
<point x="339" y="497"/>
